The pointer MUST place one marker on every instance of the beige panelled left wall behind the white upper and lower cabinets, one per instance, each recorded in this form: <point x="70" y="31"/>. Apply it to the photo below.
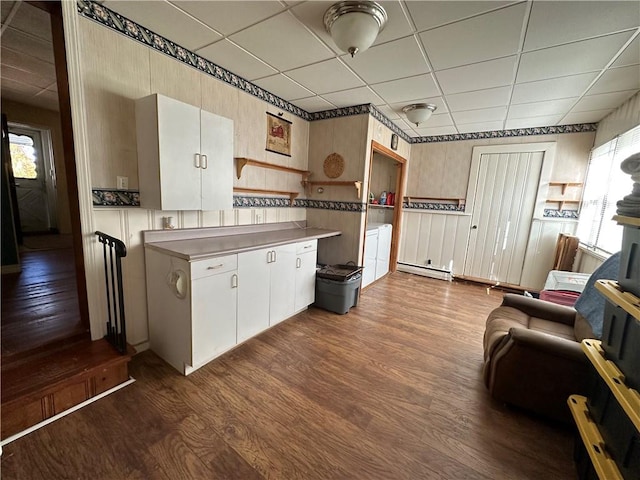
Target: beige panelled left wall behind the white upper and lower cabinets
<point x="117" y="71"/>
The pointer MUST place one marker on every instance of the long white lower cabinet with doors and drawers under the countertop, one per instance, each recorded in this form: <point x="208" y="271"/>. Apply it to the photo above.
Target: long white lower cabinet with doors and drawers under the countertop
<point x="201" y="309"/>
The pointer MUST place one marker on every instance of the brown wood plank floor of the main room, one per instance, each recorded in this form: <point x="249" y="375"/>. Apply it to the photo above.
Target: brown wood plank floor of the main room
<point x="390" y="391"/>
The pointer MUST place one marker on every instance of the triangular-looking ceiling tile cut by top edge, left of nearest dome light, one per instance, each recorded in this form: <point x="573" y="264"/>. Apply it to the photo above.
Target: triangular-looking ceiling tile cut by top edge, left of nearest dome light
<point x="230" y="17"/>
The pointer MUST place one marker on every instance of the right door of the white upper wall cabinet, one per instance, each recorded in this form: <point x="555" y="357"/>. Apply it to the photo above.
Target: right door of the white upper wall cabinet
<point x="216" y="147"/>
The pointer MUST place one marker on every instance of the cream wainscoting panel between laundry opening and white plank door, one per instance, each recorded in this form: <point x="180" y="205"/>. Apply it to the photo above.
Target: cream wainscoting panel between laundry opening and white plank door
<point x="438" y="237"/>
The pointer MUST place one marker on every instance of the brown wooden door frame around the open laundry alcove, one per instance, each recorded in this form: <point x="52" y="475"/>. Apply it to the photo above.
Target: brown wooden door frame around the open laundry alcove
<point x="397" y="208"/>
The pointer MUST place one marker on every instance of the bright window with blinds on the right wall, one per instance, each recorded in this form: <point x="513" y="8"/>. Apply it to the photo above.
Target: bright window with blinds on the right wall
<point x="604" y="186"/>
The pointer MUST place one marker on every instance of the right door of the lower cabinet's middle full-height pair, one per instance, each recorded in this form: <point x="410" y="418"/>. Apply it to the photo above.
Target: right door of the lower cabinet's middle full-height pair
<point x="283" y="283"/>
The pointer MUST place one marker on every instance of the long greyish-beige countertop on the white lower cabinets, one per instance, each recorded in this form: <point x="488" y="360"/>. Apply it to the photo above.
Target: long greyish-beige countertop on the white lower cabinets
<point x="215" y="246"/>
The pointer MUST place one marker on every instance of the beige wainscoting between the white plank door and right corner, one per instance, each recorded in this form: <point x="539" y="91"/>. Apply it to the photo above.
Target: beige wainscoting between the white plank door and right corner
<point x="541" y="249"/>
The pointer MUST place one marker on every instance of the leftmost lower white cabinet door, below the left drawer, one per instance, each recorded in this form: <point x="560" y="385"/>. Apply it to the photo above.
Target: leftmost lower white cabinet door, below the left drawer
<point x="214" y="301"/>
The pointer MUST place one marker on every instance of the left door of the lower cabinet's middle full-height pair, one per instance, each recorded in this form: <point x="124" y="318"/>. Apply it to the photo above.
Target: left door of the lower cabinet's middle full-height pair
<point x="253" y="293"/>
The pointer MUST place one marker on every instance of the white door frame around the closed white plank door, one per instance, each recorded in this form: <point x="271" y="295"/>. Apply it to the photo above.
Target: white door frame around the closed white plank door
<point x="548" y="161"/>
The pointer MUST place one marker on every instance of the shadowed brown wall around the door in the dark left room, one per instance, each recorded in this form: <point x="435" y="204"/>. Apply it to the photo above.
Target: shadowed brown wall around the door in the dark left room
<point x="49" y="120"/>
